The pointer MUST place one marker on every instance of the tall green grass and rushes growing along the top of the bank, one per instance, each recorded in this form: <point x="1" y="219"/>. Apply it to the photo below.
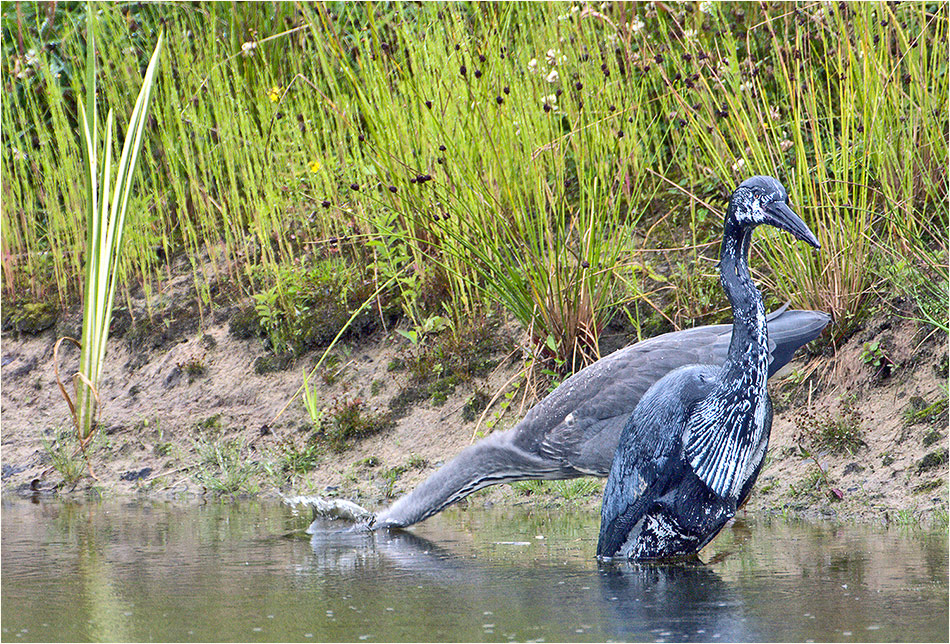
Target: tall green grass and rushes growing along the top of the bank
<point x="285" y="136"/>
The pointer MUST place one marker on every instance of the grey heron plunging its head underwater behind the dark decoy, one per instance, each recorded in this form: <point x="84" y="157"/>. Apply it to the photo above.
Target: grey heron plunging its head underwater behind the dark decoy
<point x="574" y="430"/>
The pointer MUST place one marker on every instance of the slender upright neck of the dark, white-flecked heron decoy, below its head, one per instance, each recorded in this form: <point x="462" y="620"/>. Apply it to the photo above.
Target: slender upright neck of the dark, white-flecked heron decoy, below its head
<point x="749" y="346"/>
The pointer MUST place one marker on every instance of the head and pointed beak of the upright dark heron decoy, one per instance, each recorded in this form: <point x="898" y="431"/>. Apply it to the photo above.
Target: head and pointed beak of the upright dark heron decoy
<point x="764" y="200"/>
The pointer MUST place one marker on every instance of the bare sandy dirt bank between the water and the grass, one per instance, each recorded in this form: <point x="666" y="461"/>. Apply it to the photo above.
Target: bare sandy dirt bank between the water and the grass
<point x="859" y="432"/>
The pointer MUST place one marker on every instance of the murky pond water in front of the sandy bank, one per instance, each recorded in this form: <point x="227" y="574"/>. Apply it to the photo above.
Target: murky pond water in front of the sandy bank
<point x="245" y="572"/>
